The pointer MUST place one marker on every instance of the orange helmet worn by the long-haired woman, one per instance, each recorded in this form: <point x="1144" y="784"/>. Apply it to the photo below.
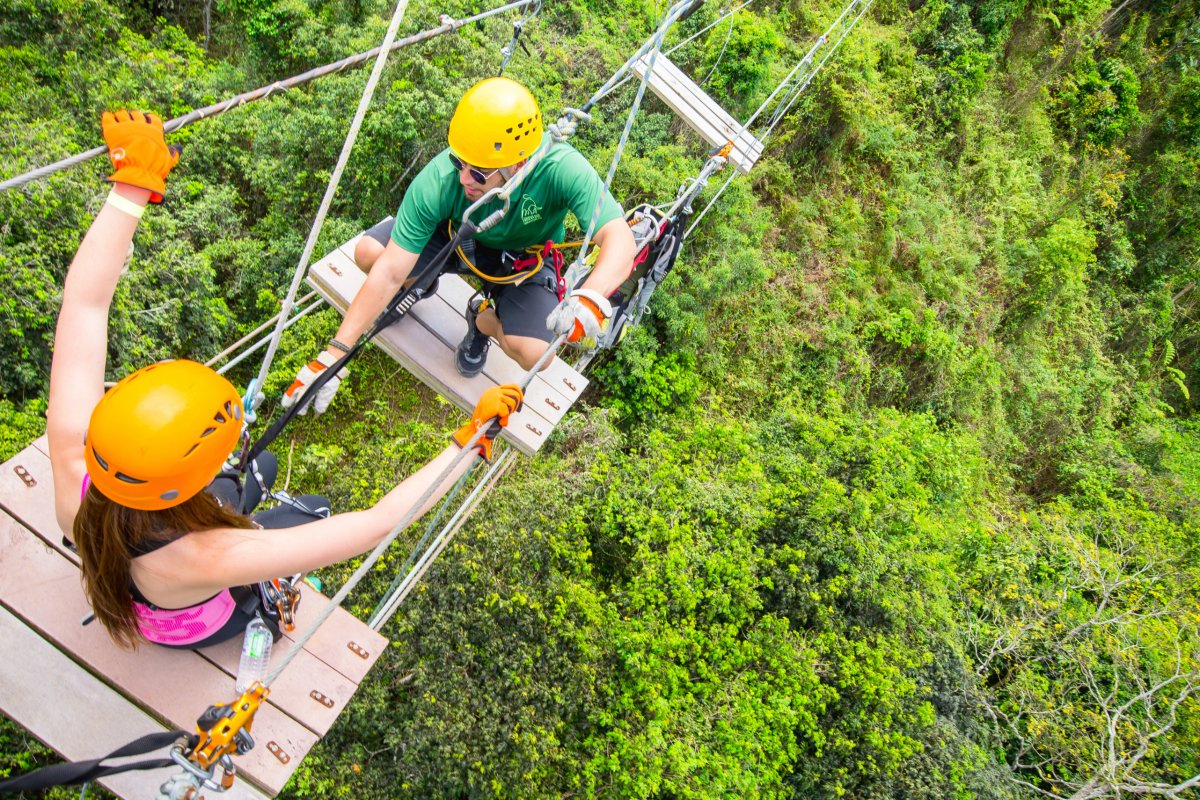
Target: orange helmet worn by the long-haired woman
<point x="161" y="435"/>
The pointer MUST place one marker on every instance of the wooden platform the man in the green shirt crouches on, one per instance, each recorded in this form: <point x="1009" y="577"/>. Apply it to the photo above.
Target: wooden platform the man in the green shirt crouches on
<point x="424" y="344"/>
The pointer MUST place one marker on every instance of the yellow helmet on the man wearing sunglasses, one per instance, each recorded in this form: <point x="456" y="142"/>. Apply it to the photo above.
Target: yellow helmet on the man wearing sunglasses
<point x="496" y="124"/>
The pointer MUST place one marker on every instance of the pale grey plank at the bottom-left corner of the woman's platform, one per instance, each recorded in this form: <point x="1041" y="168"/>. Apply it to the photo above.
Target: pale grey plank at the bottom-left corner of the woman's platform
<point x="33" y="684"/>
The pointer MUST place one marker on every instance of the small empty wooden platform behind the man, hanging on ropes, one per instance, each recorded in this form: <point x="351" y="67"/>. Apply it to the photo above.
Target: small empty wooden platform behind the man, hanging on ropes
<point x="701" y="112"/>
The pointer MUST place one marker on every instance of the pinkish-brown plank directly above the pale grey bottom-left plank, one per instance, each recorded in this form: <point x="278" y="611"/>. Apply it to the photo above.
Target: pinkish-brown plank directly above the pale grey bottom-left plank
<point x="43" y="588"/>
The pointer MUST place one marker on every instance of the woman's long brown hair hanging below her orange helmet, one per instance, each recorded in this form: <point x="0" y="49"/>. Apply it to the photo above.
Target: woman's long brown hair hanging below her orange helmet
<point x="107" y="534"/>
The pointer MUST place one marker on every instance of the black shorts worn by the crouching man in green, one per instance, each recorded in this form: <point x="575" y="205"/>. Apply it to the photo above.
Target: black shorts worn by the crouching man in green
<point x="523" y="309"/>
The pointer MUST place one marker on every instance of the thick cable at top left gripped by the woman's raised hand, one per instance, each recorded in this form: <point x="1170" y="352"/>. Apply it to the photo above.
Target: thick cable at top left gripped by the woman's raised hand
<point x="448" y="26"/>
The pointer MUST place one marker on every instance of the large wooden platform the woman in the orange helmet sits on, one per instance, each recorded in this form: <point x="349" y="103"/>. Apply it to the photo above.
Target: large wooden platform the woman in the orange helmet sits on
<point x="83" y="696"/>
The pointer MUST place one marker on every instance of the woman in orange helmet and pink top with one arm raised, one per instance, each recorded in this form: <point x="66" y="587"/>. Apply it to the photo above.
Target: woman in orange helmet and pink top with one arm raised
<point x="163" y="560"/>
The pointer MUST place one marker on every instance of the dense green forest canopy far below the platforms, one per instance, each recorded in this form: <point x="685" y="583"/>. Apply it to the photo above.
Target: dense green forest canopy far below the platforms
<point x="895" y="495"/>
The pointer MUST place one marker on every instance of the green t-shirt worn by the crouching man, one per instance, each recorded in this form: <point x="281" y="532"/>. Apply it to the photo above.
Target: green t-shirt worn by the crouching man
<point x="562" y="182"/>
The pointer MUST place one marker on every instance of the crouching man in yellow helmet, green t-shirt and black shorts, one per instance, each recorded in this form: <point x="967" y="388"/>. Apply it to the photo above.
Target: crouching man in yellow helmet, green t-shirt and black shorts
<point x="495" y="130"/>
